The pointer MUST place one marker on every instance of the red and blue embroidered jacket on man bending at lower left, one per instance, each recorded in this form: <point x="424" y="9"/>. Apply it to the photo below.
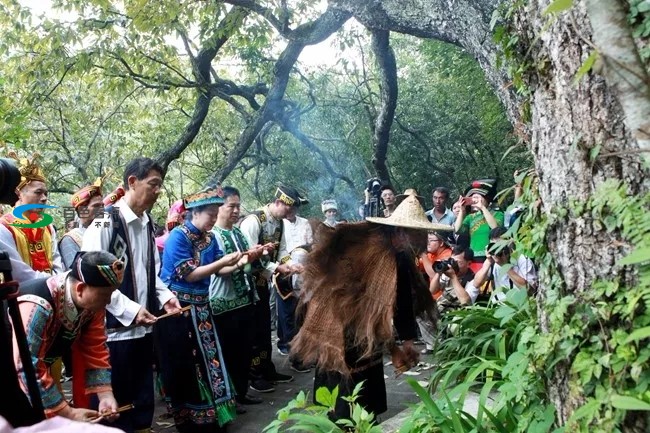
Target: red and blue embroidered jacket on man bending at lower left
<point x="53" y="324"/>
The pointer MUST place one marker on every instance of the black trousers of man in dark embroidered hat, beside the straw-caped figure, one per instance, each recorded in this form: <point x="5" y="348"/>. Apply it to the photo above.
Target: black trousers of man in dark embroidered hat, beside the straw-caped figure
<point x="261" y="365"/>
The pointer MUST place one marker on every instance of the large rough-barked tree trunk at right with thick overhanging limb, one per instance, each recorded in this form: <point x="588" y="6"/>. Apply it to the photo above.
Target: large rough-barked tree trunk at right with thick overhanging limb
<point x="578" y="135"/>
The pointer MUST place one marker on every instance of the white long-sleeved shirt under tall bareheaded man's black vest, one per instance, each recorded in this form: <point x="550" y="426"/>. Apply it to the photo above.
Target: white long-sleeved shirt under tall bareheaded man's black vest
<point x="98" y="237"/>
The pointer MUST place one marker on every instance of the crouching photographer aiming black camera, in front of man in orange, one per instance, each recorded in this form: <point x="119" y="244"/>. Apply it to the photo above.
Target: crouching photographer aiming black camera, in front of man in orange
<point x="452" y="283"/>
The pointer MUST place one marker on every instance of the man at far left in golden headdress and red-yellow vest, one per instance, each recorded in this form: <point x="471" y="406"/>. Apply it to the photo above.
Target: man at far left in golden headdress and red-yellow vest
<point x="33" y="251"/>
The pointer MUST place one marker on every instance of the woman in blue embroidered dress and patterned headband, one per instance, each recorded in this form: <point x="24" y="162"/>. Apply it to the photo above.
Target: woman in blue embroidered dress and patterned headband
<point x="198" y="391"/>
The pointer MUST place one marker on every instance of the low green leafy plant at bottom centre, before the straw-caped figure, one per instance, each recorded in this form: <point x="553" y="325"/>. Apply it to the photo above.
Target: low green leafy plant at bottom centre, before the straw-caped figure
<point x="297" y="415"/>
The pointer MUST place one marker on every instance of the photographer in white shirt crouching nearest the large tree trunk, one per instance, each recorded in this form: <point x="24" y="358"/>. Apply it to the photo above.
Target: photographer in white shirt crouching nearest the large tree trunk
<point x="521" y="274"/>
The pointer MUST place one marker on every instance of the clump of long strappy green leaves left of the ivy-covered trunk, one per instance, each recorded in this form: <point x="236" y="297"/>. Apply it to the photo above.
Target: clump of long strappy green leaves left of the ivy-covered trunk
<point x="485" y="359"/>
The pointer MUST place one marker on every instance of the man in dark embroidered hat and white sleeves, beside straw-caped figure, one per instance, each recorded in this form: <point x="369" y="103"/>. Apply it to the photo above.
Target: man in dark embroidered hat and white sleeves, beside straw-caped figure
<point x="263" y="227"/>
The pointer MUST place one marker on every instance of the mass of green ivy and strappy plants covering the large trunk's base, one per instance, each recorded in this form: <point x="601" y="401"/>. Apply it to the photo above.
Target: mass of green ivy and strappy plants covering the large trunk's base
<point x="599" y="338"/>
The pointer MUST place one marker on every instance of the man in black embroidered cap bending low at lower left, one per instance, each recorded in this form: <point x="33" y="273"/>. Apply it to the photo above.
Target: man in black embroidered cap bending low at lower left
<point x="66" y="312"/>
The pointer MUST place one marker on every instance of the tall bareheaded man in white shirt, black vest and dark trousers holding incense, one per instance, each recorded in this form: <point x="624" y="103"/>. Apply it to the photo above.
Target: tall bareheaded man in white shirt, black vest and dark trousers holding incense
<point x="126" y="231"/>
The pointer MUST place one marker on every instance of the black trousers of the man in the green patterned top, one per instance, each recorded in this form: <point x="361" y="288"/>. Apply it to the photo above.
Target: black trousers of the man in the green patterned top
<point x="236" y="329"/>
